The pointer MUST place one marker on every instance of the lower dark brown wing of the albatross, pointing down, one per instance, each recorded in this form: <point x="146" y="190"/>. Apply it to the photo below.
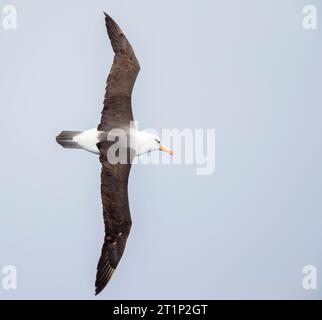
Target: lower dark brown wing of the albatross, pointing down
<point x="117" y="219"/>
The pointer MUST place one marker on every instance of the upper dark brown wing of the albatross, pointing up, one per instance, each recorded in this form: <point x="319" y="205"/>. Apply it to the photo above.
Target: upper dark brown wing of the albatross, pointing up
<point x="117" y="111"/>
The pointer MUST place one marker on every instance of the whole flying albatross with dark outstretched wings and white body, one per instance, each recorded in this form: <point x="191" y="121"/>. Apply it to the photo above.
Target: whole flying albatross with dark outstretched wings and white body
<point x="115" y="128"/>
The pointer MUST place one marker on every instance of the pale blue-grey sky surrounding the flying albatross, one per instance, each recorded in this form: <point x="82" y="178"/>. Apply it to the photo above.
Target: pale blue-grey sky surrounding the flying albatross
<point x="246" y="68"/>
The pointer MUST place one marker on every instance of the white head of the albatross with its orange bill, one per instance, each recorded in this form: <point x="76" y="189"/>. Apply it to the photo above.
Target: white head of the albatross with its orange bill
<point x="147" y="142"/>
